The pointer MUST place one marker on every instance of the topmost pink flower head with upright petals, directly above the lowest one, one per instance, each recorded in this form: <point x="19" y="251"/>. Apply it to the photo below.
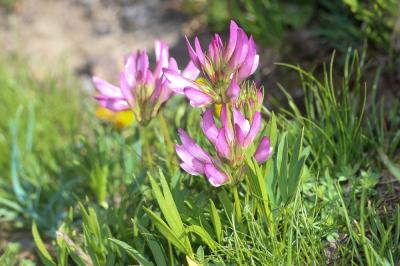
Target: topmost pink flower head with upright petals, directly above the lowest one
<point x="222" y="68"/>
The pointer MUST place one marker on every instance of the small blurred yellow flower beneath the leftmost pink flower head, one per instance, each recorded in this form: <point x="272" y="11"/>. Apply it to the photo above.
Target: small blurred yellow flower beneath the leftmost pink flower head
<point x="118" y="119"/>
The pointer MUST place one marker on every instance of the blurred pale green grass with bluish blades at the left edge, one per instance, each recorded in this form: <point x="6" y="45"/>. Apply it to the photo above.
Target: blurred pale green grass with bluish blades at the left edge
<point x="40" y="118"/>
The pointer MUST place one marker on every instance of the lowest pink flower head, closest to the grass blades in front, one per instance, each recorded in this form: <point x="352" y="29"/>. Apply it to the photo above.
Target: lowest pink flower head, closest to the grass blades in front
<point x="231" y="142"/>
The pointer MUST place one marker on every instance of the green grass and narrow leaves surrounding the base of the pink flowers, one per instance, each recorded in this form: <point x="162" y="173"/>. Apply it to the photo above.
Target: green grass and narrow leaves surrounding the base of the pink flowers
<point x="94" y="195"/>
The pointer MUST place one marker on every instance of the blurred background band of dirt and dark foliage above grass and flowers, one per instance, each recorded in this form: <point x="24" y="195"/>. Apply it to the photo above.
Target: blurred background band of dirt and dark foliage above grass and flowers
<point x="92" y="36"/>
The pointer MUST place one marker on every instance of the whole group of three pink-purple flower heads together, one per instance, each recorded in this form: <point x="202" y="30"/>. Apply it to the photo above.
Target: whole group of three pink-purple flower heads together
<point x="222" y="86"/>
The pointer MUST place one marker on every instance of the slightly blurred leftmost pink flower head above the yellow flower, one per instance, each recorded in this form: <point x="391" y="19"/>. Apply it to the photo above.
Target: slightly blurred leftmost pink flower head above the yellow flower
<point x="141" y="90"/>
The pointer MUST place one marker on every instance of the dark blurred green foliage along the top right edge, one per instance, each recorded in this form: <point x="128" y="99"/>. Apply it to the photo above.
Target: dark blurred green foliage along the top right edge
<point x="343" y="23"/>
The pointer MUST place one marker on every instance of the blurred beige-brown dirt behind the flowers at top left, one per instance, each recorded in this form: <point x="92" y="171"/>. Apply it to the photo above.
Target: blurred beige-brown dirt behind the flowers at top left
<point x="86" y="35"/>
